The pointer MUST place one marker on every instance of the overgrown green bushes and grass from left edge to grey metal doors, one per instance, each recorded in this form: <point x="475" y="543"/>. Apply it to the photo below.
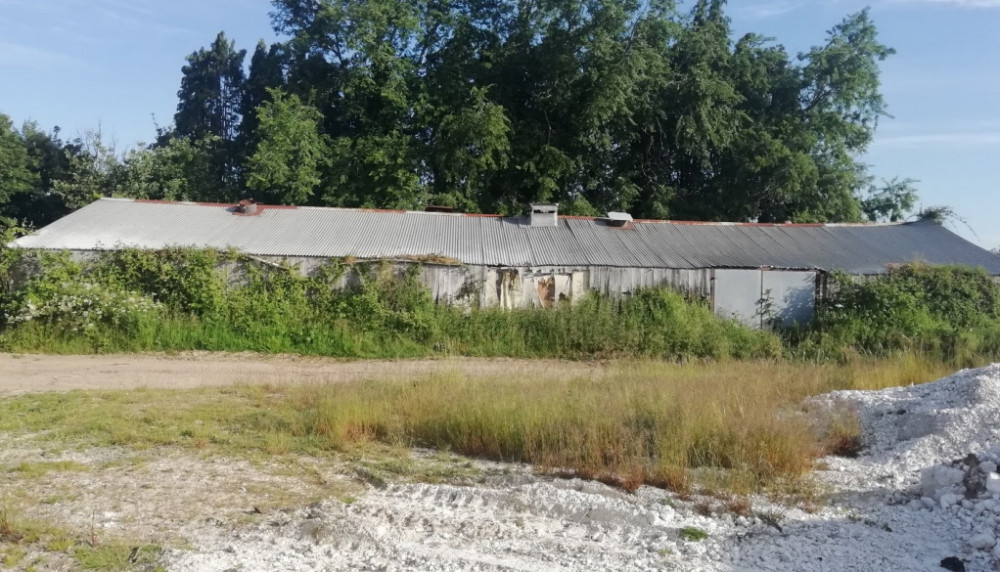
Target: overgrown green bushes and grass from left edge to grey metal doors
<point x="180" y="299"/>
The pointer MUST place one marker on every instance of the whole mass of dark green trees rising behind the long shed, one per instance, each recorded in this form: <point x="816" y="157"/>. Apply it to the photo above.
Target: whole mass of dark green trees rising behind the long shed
<point x="491" y="104"/>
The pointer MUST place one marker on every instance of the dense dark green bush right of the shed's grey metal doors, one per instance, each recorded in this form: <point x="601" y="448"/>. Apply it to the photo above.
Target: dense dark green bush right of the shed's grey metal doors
<point x="948" y="312"/>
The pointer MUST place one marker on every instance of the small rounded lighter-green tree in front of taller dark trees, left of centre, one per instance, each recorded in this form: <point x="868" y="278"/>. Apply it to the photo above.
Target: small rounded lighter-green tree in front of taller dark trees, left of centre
<point x="285" y="166"/>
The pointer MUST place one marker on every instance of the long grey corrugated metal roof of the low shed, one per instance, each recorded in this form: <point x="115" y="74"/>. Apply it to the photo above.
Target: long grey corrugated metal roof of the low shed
<point x="497" y="241"/>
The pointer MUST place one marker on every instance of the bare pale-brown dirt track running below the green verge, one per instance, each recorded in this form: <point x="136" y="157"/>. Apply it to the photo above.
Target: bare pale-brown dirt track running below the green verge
<point x="25" y="373"/>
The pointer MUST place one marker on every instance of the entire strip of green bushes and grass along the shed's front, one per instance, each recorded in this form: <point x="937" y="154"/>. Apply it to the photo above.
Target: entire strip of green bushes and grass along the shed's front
<point x="174" y="300"/>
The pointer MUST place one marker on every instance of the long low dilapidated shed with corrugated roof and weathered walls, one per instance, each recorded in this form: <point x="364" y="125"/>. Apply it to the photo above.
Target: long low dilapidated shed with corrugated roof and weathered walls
<point x="490" y="260"/>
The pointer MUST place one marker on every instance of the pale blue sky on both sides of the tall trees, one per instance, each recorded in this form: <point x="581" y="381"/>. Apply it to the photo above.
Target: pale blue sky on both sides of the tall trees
<point x="116" y="64"/>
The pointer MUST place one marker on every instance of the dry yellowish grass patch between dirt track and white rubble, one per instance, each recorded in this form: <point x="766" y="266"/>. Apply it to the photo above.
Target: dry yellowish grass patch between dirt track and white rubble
<point x="735" y="427"/>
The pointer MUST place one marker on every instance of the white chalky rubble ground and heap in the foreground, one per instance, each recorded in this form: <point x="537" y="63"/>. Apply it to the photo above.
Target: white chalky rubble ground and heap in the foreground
<point x="913" y="499"/>
